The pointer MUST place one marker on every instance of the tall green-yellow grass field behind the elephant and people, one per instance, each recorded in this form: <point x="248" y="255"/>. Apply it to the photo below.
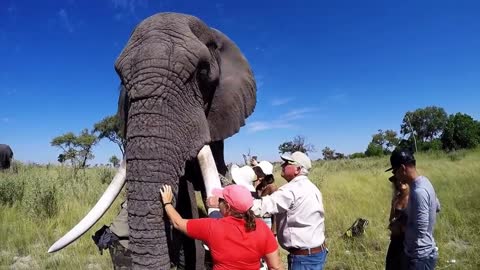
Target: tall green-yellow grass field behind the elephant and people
<point x="39" y="204"/>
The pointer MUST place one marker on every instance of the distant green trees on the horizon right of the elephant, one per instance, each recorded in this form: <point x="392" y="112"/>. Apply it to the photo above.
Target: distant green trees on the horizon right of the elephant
<point x="424" y="129"/>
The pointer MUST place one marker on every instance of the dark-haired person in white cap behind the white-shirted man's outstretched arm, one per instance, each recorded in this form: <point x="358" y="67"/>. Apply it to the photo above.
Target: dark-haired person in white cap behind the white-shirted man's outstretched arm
<point x="265" y="185"/>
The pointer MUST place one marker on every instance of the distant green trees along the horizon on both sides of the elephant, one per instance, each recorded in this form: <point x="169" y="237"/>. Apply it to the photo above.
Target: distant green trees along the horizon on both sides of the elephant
<point x="424" y="129"/>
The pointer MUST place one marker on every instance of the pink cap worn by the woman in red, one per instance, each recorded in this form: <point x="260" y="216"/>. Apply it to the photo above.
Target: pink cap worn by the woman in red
<point x="238" y="197"/>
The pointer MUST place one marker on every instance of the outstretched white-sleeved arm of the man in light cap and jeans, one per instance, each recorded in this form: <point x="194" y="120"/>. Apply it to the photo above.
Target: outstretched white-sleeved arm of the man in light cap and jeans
<point x="279" y="202"/>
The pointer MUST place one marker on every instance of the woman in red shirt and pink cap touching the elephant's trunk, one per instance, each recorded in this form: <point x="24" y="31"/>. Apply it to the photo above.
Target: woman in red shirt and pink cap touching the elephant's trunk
<point x="236" y="241"/>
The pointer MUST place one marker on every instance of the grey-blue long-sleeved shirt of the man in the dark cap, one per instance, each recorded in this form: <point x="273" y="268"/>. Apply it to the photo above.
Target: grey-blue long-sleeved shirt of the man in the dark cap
<point x="422" y="208"/>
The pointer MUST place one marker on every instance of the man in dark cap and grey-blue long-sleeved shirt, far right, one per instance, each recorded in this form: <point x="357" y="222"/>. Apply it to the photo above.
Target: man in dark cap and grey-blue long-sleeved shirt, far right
<point x="422" y="208"/>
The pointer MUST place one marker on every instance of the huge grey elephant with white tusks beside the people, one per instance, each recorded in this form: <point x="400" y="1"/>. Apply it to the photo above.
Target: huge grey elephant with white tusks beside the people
<point x="186" y="87"/>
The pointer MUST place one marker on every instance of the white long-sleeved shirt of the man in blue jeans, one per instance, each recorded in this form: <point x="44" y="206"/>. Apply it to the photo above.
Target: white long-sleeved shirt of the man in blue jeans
<point x="299" y="213"/>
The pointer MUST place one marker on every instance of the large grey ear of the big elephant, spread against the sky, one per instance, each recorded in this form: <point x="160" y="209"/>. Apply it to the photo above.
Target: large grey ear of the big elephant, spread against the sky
<point x="235" y="97"/>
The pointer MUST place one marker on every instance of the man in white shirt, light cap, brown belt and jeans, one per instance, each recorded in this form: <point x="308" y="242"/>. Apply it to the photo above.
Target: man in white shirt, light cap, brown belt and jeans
<point x="299" y="214"/>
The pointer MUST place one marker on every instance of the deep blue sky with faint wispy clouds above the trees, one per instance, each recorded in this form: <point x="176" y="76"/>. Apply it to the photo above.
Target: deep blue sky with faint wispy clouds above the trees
<point x="332" y="71"/>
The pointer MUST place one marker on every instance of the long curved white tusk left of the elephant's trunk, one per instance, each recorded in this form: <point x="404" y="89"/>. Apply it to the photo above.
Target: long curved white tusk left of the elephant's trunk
<point x="97" y="211"/>
